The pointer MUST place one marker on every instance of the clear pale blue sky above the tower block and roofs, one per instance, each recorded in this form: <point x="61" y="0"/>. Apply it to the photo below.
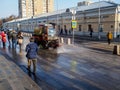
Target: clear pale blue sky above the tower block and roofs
<point x="10" y="7"/>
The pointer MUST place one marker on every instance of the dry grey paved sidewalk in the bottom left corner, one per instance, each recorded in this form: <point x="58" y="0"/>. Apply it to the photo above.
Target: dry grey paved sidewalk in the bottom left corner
<point x="13" y="78"/>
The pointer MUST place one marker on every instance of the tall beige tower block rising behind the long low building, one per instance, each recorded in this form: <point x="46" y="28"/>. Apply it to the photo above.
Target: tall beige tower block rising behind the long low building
<point x="28" y="8"/>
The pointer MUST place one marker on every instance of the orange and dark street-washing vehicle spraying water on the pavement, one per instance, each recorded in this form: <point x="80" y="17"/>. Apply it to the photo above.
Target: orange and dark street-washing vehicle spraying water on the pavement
<point x="46" y="36"/>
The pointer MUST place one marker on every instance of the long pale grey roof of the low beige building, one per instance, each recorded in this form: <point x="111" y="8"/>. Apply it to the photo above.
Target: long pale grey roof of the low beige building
<point x="95" y="5"/>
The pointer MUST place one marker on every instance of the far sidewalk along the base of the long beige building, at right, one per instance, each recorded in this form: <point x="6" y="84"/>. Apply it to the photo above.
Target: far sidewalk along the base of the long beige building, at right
<point x="94" y="42"/>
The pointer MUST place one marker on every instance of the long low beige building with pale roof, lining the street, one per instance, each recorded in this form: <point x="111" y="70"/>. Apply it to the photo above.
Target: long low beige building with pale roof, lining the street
<point x="101" y="16"/>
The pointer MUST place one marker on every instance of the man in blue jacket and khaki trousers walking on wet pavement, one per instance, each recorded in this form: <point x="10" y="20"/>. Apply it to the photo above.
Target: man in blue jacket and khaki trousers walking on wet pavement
<point x="32" y="49"/>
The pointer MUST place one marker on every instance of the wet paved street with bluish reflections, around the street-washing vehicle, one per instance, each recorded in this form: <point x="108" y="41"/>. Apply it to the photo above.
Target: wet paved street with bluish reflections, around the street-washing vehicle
<point x="87" y="66"/>
